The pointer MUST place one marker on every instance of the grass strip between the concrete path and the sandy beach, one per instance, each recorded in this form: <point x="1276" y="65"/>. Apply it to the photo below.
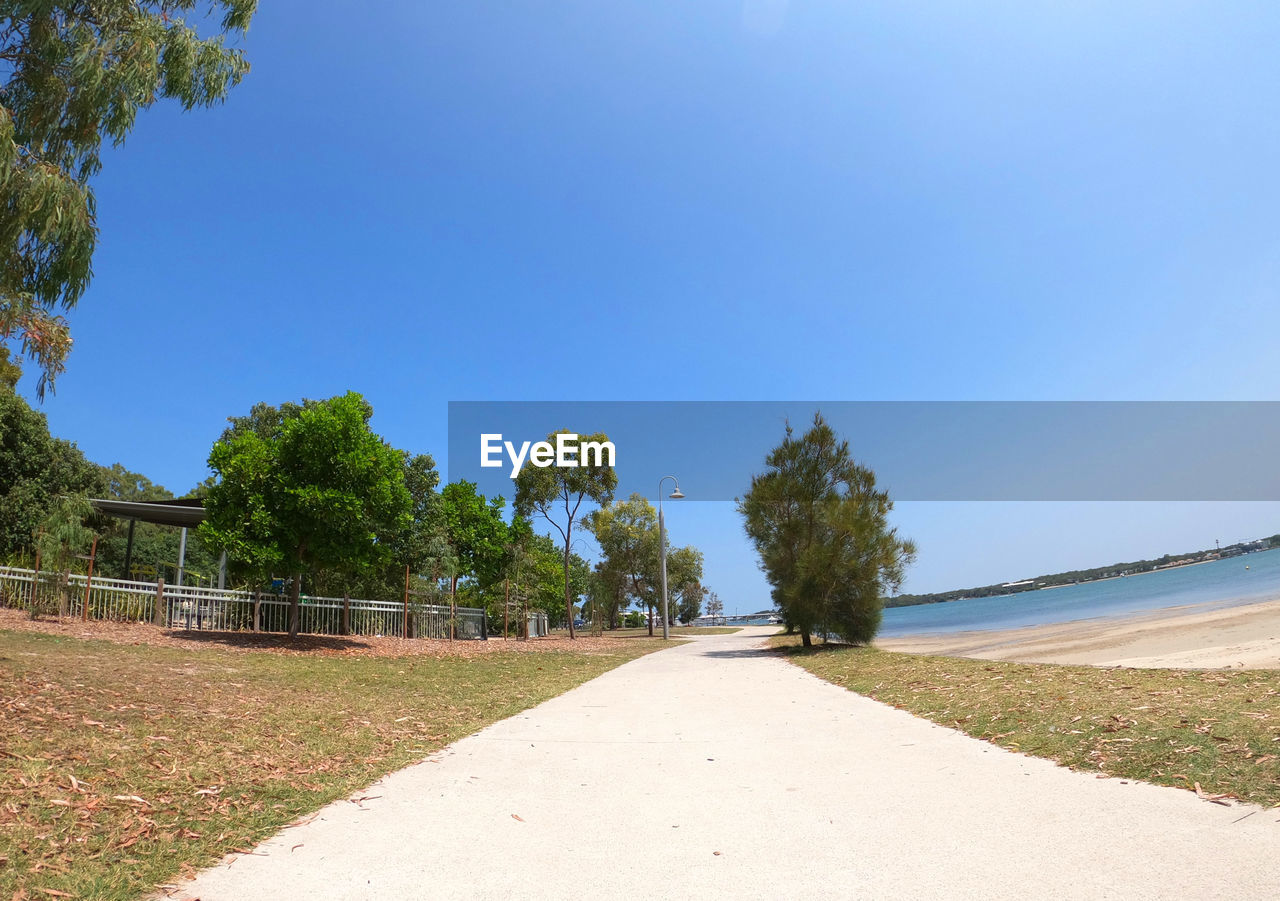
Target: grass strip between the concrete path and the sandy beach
<point x="1176" y="728"/>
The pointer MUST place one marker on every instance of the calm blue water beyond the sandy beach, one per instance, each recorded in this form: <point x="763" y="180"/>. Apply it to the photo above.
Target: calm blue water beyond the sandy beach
<point x="1219" y="584"/>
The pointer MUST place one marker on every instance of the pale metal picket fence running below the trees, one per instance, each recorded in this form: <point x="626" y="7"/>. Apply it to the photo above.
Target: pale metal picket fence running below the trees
<point x="200" y="609"/>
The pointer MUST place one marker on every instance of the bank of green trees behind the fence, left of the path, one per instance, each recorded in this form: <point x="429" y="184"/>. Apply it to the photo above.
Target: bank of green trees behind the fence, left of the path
<point x="308" y="497"/>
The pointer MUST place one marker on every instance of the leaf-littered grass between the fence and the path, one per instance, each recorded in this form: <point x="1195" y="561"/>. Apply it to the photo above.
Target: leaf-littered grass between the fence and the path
<point x="122" y="766"/>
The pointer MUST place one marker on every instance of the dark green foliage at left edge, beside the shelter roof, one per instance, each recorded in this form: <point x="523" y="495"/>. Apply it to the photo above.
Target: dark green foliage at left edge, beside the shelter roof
<point x="35" y="470"/>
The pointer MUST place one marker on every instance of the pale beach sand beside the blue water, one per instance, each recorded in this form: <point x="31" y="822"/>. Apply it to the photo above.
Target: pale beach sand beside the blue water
<point x="1236" y="638"/>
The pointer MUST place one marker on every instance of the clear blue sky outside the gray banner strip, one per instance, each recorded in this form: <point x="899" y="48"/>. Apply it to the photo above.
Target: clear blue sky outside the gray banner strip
<point x="724" y="200"/>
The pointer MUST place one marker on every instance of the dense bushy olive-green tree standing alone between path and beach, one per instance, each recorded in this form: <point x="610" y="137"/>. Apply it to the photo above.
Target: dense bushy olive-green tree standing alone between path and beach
<point x="822" y="532"/>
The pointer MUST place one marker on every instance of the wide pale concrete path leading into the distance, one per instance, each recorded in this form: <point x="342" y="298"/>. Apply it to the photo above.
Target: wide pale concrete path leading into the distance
<point x="716" y="771"/>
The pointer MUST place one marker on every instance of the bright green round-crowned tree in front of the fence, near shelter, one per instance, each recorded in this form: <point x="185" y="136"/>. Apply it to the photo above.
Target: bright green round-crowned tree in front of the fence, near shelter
<point x="321" y="491"/>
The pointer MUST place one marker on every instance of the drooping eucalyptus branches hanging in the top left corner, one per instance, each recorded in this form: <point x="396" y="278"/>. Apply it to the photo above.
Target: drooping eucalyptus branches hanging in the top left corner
<point x="77" y="74"/>
